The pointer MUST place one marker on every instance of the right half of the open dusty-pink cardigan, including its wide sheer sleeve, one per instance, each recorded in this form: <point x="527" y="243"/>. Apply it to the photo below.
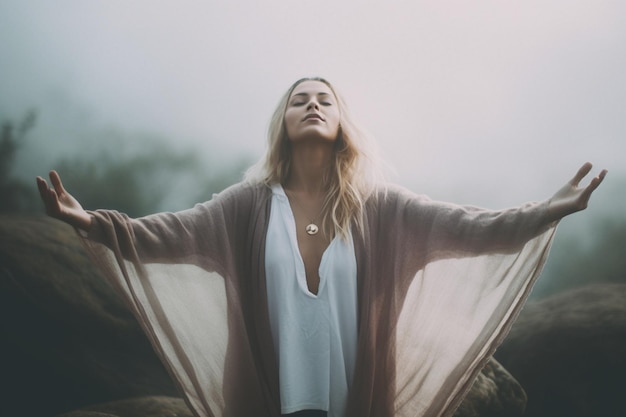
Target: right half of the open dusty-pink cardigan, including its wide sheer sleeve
<point x="447" y="281"/>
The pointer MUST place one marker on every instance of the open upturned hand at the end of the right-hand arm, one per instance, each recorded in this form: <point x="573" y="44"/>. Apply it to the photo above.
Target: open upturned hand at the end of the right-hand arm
<point x="572" y="198"/>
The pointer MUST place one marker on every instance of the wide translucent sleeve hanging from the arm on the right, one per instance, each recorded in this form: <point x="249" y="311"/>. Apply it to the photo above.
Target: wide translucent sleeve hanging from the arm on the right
<point x="477" y="270"/>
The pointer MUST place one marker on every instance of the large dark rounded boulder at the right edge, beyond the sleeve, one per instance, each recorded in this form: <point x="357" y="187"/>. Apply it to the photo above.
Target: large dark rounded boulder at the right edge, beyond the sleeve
<point x="569" y="353"/>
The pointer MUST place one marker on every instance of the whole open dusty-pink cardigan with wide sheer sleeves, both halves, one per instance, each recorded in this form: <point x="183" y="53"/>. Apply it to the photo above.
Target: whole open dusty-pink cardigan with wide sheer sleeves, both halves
<point x="439" y="286"/>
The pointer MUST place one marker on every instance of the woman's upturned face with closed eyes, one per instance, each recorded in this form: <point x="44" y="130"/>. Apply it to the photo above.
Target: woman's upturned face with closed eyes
<point x="312" y="113"/>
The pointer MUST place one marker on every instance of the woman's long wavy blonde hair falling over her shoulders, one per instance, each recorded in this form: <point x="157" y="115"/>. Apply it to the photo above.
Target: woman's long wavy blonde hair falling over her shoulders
<point x="354" y="173"/>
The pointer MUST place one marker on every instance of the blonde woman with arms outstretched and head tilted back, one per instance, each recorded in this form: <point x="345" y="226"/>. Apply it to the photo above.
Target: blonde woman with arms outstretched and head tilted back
<point x="311" y="288"/>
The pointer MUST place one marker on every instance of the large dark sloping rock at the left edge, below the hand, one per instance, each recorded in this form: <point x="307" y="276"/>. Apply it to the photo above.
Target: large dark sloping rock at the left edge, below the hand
<point x="68" y="340"/>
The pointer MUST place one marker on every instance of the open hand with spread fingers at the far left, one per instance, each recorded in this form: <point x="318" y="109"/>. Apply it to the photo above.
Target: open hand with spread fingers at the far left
<point x="60" y="204"/>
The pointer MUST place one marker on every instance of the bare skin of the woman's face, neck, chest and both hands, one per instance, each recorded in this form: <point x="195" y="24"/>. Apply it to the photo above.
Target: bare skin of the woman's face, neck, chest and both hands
<point x="312" y="120"/>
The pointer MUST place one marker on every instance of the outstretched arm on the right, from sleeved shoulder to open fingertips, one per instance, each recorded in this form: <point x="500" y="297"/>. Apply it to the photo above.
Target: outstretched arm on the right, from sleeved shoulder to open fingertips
<point x="443" y="230"/>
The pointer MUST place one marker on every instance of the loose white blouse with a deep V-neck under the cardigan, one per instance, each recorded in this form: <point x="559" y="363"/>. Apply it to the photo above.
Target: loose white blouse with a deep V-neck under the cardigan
<point x="314" y="336"/>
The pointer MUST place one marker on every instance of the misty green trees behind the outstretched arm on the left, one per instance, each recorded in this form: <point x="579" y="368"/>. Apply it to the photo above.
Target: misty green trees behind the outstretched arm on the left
<point x="157" y="178"/>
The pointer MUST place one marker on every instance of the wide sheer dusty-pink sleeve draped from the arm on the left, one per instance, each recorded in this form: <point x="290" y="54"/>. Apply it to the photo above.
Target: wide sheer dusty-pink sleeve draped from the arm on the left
<point x="174" y="271"/>
